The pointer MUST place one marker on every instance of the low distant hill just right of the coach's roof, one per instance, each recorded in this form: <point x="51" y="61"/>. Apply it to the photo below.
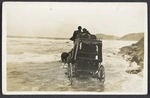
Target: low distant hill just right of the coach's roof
<point x="106" y="37"/>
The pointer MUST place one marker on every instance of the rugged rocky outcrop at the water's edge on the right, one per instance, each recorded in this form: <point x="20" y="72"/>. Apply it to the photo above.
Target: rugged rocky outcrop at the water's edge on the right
<point x="135" y="55"/>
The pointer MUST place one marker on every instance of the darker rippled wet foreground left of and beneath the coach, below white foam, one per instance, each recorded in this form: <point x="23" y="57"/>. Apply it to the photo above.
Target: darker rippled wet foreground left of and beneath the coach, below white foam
<point x="48" y="76"/>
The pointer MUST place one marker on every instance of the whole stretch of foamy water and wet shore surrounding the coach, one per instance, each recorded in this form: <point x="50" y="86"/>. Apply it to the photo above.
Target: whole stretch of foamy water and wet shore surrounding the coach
<point x="33" y="64"/>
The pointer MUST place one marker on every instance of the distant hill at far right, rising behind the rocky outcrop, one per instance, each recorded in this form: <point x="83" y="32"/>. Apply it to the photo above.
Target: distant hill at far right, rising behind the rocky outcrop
<point x="132" y="36"/>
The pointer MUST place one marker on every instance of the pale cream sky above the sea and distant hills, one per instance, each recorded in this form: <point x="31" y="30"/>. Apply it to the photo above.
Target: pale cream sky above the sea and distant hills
<point x="60" y="19"/>
